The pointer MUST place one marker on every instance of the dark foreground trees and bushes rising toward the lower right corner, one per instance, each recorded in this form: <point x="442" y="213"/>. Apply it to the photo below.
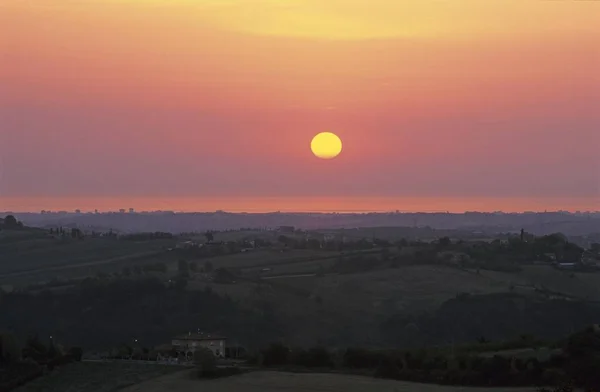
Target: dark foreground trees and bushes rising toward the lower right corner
<point x="575" y="361"/>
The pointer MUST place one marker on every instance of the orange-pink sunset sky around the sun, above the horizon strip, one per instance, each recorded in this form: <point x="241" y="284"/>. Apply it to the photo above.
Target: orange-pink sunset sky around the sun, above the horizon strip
<point x="221" y="98"/>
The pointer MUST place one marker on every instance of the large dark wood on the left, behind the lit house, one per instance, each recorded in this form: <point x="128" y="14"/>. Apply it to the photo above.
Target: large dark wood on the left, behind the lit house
<point x="99" y="313"/>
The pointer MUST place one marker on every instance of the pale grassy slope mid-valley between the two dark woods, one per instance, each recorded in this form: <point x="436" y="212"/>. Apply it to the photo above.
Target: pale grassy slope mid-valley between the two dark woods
<point x="316" y="304"/>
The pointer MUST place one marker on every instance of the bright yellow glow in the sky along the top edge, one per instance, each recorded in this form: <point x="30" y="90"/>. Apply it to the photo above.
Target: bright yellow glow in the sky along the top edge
<point x="376" y="19"/>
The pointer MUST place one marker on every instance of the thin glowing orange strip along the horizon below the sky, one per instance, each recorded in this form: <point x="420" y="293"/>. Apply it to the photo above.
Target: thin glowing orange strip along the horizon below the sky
<point x="301" y="204"/>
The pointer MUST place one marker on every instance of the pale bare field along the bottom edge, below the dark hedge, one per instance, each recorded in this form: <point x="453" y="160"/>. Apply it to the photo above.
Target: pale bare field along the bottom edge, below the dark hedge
<point x="278" y="381"/>
